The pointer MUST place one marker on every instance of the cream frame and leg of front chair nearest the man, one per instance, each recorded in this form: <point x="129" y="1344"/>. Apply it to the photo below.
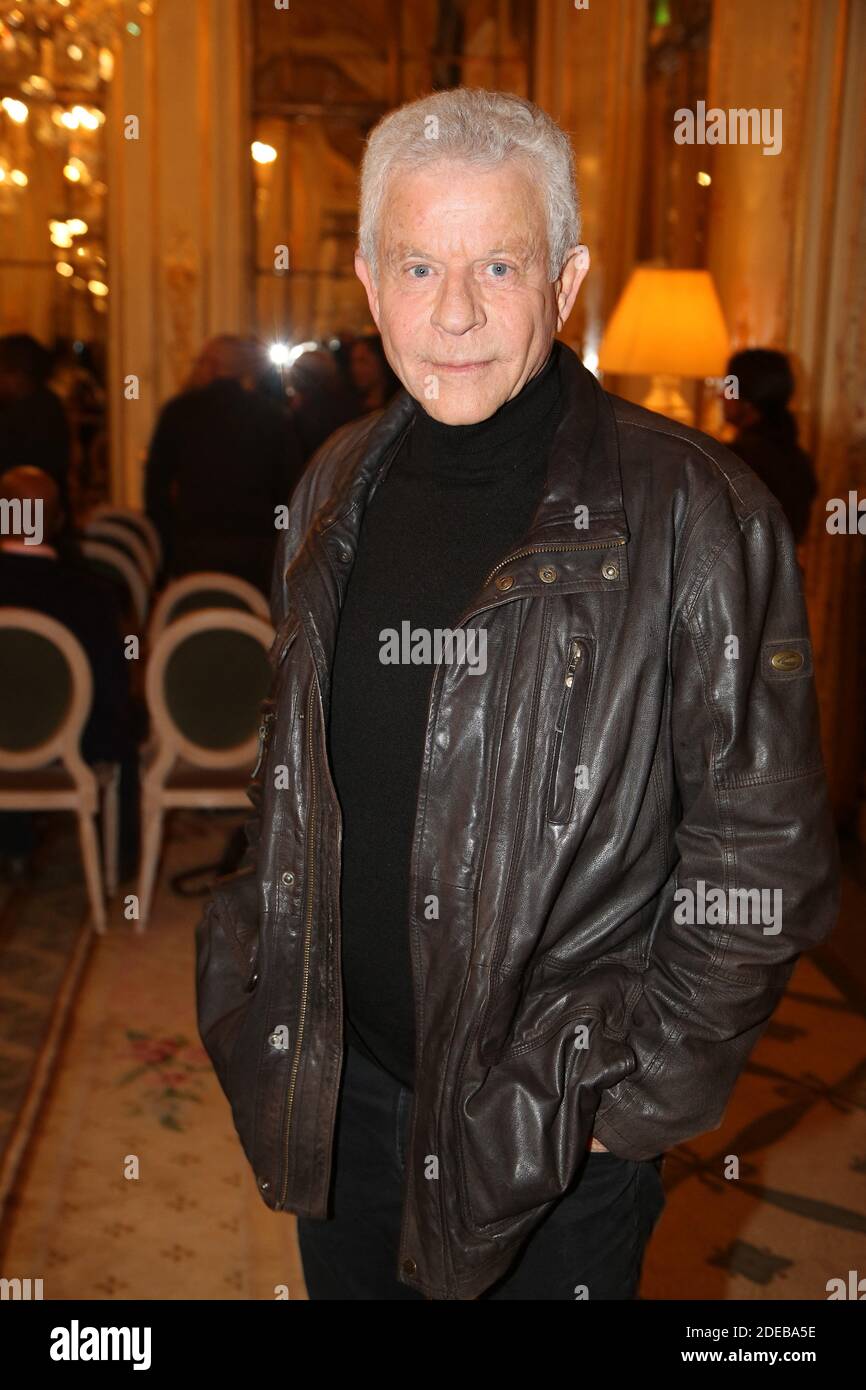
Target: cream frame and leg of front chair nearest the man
<point x="170" y="746"/>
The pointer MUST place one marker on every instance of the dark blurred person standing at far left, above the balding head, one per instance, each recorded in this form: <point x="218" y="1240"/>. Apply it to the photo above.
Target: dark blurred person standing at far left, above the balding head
<point x="34" y="426"/>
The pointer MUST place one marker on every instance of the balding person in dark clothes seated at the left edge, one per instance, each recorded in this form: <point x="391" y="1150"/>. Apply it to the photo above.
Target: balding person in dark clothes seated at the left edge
<point x="41" y="578"/>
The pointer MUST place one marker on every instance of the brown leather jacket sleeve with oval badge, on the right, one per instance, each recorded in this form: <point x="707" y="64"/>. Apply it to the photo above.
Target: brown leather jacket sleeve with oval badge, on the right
<point x="754" y="819"/>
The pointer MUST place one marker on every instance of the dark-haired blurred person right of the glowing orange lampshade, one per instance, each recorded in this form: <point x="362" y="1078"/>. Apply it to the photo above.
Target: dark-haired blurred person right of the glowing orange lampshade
<point x="767" y="432"/>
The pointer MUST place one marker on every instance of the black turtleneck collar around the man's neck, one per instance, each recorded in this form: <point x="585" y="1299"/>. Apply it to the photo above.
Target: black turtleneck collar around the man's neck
<point x="496" y="445"/>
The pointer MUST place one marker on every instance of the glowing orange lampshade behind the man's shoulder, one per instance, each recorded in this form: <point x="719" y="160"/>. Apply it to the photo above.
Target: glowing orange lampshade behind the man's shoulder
<point x="667" y="322"/>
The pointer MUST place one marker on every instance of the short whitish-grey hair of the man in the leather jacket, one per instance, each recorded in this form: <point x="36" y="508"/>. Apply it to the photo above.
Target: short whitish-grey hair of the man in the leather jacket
<point x="482" y="129"/>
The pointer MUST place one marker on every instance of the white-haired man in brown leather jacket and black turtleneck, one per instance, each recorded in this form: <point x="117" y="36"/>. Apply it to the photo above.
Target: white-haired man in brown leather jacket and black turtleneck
<point x="509" y="928"/>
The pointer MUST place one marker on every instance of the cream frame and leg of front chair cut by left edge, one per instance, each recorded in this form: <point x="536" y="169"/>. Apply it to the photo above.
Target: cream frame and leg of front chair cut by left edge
<point x="65" y="746"/>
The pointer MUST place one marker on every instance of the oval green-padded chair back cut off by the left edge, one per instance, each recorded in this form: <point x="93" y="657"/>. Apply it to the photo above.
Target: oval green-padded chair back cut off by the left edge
<point x="47" y="692"/>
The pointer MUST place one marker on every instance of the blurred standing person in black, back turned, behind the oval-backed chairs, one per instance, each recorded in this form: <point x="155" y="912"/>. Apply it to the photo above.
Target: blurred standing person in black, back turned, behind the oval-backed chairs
<point x="223" y="458"/>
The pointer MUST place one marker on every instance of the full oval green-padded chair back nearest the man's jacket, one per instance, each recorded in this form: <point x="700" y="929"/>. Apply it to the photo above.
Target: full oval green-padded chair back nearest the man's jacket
<point x="206" y="680"/>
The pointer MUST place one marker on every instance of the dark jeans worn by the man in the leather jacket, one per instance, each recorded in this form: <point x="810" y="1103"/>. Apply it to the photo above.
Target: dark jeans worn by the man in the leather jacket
<point x="594" y="1236"/>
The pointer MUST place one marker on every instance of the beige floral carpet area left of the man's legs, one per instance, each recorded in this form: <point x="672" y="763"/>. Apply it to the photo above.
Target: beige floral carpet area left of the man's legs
<point x="134" y="1185"/>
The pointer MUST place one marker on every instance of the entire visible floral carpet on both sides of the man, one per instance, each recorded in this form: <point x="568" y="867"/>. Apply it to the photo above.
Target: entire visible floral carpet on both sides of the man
<point x="134" y="1185"/>
